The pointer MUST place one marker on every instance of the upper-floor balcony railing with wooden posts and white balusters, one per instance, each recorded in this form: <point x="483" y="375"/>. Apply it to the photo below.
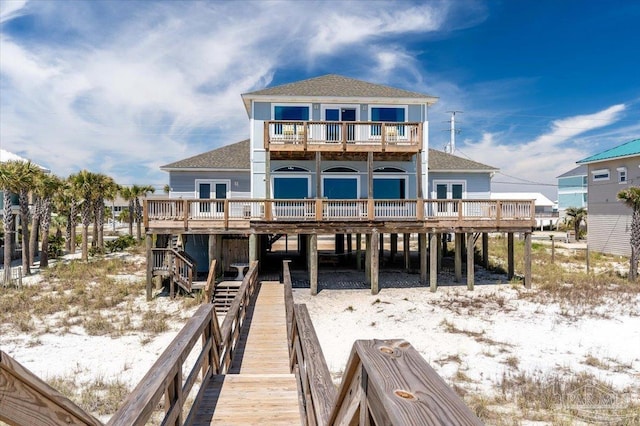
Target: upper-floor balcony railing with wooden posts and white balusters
<point x="347" y="136"/>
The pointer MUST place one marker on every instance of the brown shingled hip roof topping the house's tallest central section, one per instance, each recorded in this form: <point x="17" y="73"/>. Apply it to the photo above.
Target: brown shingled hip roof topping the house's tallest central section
<point x="335" y="86"/>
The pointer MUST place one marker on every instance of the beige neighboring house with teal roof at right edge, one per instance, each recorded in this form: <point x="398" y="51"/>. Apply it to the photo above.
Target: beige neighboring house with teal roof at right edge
<point x="609" y="172"/>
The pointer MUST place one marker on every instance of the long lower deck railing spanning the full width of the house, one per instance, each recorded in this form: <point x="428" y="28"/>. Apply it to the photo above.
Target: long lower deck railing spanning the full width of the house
<point x="232" y="212"/>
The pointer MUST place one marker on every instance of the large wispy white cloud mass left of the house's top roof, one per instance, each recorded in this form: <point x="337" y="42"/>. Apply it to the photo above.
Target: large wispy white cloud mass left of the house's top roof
<point x="122" y="90"/>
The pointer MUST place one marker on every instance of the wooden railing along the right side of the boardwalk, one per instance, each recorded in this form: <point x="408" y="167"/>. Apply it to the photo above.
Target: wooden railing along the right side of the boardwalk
<point x="386" y="382"/>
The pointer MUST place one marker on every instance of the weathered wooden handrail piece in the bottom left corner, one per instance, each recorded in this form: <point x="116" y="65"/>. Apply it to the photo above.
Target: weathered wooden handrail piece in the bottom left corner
<point x="27" y="400"/>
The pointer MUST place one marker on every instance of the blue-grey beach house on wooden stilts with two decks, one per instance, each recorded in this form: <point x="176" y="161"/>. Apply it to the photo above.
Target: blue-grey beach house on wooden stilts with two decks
<point x="330" y="156"/>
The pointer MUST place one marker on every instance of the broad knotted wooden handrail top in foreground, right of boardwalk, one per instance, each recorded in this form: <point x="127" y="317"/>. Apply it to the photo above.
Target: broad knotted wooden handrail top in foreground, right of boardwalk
<point x="391" y="383"/>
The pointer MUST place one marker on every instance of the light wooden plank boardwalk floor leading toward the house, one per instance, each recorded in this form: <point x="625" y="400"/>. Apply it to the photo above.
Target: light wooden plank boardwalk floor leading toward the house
<point x="259" y="388"/>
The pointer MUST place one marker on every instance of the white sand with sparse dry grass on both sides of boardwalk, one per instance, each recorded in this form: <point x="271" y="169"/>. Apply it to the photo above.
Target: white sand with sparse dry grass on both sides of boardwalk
<point x="494" y="325"/>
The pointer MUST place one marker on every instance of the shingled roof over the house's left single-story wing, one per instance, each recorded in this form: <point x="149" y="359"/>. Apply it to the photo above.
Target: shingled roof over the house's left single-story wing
<point x="228" y="157"/>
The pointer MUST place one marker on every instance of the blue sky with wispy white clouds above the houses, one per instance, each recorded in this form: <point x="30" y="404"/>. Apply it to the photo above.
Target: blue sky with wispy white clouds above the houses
<point x="123" y="87"/>
